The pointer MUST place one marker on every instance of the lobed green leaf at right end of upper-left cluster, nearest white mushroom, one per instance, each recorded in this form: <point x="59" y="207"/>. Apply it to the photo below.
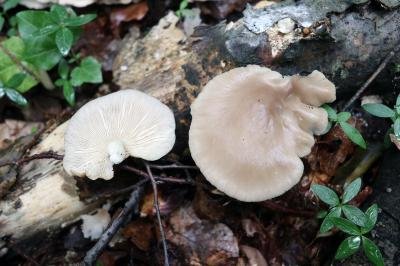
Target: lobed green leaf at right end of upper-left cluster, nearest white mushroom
<point x="89" y="71"/>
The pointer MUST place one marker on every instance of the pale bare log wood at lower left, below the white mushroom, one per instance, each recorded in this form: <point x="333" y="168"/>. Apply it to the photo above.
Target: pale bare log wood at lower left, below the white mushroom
<point x="44" y="196"/>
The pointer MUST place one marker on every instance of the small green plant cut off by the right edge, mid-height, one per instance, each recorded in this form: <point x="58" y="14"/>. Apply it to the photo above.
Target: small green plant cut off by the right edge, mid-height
<point x="381" y="110"/>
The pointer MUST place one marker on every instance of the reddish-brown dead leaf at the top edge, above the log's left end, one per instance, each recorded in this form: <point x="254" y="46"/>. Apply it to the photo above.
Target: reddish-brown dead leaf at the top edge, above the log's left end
<point x="132" y="12"/>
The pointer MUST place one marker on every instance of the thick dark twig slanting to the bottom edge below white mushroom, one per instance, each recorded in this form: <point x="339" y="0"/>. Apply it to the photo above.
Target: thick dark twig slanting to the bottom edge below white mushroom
<point x="133" y="202"/>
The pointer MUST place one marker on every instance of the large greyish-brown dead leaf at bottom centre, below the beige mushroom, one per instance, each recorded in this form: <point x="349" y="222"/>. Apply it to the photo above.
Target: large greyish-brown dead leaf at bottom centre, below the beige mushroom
<point x="201" y="240"/>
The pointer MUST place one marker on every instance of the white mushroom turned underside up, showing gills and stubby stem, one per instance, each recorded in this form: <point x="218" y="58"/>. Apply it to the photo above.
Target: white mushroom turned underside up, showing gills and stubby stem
<point x="109" y="129"/>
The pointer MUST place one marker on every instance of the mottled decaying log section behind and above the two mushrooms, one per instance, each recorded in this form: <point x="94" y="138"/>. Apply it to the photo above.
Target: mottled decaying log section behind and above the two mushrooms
<point x="345" y="41"/>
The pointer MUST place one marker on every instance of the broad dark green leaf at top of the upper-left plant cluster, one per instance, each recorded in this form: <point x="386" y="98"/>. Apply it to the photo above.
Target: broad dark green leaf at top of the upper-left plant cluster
<point x="30" y="22"/>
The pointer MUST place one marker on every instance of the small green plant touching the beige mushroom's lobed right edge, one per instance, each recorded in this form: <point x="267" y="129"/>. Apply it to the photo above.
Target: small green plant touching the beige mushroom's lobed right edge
<point x="341" y="119"/>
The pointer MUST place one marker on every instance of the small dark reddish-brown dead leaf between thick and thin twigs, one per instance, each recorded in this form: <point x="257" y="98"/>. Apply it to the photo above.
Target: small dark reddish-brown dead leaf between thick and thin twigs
<point x="140" y="233"/>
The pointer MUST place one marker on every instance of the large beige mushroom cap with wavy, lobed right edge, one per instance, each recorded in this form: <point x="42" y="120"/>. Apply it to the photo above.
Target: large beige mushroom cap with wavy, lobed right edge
<point x="250" y="125"/>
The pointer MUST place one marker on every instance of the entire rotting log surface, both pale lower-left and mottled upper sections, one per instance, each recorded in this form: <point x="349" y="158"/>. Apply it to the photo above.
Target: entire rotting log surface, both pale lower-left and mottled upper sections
<point x="346" y="46"/>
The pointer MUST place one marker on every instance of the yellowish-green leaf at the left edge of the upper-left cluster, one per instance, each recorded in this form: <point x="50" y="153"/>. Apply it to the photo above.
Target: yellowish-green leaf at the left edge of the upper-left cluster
<point x="11" y="50"/>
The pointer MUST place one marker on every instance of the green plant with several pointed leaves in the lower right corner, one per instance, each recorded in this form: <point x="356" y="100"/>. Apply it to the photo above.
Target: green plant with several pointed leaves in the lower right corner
<point x="356" y="223"/>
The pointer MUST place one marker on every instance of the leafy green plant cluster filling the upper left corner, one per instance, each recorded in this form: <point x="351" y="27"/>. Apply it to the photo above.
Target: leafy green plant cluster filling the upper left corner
<point x="44" y="40"/>
